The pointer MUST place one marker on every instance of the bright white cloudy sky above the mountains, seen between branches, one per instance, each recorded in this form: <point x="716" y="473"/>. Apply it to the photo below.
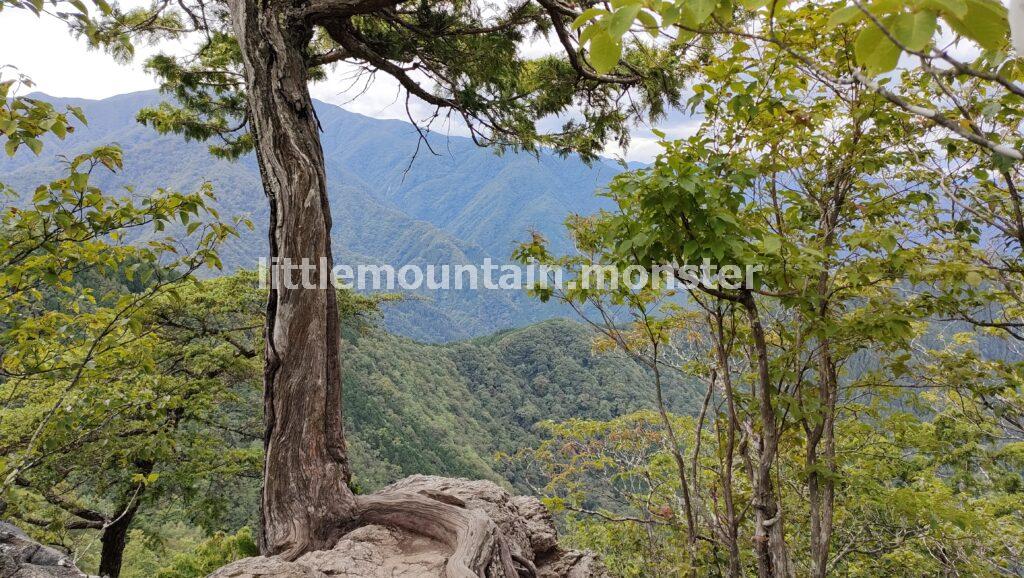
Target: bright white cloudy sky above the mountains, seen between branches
<point x="64" y="67"/>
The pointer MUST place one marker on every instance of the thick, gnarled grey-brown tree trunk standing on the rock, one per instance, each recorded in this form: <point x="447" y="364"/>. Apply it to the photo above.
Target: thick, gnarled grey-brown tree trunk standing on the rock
<point x="307" y="503"/>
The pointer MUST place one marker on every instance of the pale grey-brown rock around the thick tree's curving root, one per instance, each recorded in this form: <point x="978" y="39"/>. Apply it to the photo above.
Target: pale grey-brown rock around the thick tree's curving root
<point x="379" y="551"/>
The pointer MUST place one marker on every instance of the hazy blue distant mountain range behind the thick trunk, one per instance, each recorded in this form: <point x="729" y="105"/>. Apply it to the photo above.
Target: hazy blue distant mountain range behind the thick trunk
<point x="390" y="204"/>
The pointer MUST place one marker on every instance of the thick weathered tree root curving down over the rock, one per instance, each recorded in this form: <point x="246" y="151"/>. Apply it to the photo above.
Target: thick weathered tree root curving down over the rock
<point x="479" y="548"/>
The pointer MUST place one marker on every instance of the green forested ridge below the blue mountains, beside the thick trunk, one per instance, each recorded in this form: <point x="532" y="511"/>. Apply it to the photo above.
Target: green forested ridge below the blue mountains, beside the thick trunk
<point x="447" y="409"/>
